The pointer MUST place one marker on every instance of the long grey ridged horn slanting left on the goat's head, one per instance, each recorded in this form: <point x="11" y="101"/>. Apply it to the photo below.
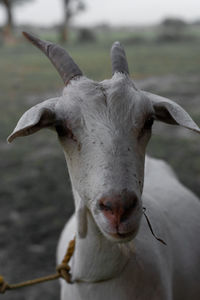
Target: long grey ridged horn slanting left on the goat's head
<point x="61" y="60"/>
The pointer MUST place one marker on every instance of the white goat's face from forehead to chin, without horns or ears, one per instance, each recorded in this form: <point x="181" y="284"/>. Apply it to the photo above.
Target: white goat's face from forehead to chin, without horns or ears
<point x="104" y="129"/>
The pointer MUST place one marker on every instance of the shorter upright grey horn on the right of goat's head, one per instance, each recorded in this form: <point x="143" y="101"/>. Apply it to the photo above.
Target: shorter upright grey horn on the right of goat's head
<point x="118" y="59"/>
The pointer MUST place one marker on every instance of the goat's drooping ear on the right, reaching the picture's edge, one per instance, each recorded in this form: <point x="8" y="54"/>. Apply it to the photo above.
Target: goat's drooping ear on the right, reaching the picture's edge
<point x="170" y="112"/>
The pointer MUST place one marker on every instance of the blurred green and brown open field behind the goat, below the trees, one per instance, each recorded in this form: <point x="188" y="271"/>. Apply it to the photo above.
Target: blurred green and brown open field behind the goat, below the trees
<point x="35" y="195"/>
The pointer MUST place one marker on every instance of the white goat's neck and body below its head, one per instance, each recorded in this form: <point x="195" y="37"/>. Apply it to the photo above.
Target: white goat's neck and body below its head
<point x="143" y="268"/>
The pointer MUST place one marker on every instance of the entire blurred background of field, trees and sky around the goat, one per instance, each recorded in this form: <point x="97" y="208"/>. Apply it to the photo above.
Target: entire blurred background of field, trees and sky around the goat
<point x="162" y="42"/>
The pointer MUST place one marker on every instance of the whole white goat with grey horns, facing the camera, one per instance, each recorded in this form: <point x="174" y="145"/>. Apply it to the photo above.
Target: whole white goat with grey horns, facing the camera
<point x="104" y="129"/>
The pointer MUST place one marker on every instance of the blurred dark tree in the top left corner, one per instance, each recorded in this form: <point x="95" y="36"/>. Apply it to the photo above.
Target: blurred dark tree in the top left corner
<point x="9" y="5"/>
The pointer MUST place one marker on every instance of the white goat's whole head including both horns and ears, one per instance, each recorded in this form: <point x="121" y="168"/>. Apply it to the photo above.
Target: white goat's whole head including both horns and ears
<point x="104" y="129"/>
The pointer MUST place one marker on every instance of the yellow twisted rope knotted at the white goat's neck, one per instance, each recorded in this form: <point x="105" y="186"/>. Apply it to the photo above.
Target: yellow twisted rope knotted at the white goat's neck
<point x="62" y="271"/>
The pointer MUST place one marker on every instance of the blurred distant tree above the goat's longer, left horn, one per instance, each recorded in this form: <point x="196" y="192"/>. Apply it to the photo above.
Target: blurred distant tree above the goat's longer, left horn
<point x="71" y="8"/>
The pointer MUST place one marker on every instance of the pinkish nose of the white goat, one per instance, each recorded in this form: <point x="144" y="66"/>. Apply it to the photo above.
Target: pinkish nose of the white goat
<point x="118" y="208"/>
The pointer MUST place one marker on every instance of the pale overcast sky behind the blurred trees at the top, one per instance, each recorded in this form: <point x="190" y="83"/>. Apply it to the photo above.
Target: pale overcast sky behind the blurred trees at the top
<point x="114" y="12"/>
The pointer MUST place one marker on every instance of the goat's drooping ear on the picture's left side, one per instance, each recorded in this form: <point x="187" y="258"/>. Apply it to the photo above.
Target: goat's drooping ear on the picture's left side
<point x="39" y="116"/>
